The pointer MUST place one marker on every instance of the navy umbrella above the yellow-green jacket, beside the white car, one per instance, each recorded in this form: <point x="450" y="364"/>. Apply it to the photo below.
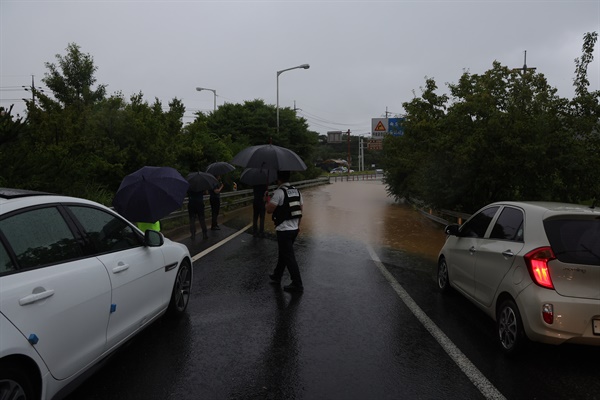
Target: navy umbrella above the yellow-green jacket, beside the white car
<point x="150" y="193"/>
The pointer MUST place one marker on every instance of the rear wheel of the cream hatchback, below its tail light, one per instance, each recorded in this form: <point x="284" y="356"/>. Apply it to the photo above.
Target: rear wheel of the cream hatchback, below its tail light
<point x="510" y="328"/>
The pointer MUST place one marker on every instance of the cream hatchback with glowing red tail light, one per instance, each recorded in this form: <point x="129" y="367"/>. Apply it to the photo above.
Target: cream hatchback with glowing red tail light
<point x="533" y="267"/>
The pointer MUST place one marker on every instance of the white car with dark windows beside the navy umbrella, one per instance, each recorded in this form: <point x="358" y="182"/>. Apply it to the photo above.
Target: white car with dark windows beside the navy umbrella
<point x="77" y="281"/>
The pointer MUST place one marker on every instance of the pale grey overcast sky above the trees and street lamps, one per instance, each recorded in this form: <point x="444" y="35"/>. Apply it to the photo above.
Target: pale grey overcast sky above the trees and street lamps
<point x="366" y="57"/>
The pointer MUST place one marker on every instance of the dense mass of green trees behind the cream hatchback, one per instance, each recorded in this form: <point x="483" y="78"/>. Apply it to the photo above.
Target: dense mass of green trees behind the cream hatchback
<point x="499" y="135"/>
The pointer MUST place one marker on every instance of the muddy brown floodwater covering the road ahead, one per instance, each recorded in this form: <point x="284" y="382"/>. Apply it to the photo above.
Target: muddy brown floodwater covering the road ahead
<point x="363" y="211"/>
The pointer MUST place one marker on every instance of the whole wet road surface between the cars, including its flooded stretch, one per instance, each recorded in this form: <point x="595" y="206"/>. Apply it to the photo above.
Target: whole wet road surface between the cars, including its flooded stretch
<point x="353" y="334"/>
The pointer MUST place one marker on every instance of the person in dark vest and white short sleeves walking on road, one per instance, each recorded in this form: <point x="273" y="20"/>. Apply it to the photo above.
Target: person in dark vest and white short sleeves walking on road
<point x="286" y="209"/>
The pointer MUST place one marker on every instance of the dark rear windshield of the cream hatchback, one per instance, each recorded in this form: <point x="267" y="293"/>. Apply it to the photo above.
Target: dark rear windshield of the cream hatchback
<point x="575" y="241"/>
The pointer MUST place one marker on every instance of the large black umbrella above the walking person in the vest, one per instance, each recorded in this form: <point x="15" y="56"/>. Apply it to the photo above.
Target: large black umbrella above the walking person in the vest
<point x="269" y="156"/>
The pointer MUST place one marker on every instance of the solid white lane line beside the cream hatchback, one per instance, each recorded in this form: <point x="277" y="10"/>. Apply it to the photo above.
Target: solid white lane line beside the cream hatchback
<point x="475" y="376"/>
